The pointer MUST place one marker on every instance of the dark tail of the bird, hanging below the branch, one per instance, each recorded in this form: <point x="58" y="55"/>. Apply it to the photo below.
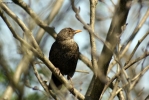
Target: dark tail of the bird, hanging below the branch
<point x="56" y="82"/>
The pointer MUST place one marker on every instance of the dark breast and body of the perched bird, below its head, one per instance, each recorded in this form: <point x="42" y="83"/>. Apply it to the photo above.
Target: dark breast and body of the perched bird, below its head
<point x="64" y="55"/>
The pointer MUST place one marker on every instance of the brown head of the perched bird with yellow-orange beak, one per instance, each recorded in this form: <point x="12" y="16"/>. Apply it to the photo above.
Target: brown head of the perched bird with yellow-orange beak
<point x="66" y="34"/>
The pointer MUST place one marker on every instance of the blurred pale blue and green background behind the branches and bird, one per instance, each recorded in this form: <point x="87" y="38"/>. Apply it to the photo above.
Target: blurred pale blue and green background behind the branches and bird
<point x="10" y="52"/>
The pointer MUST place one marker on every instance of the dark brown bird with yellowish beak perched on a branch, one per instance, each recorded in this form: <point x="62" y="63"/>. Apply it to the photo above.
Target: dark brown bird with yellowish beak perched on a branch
<point x="64" y="54"/>
